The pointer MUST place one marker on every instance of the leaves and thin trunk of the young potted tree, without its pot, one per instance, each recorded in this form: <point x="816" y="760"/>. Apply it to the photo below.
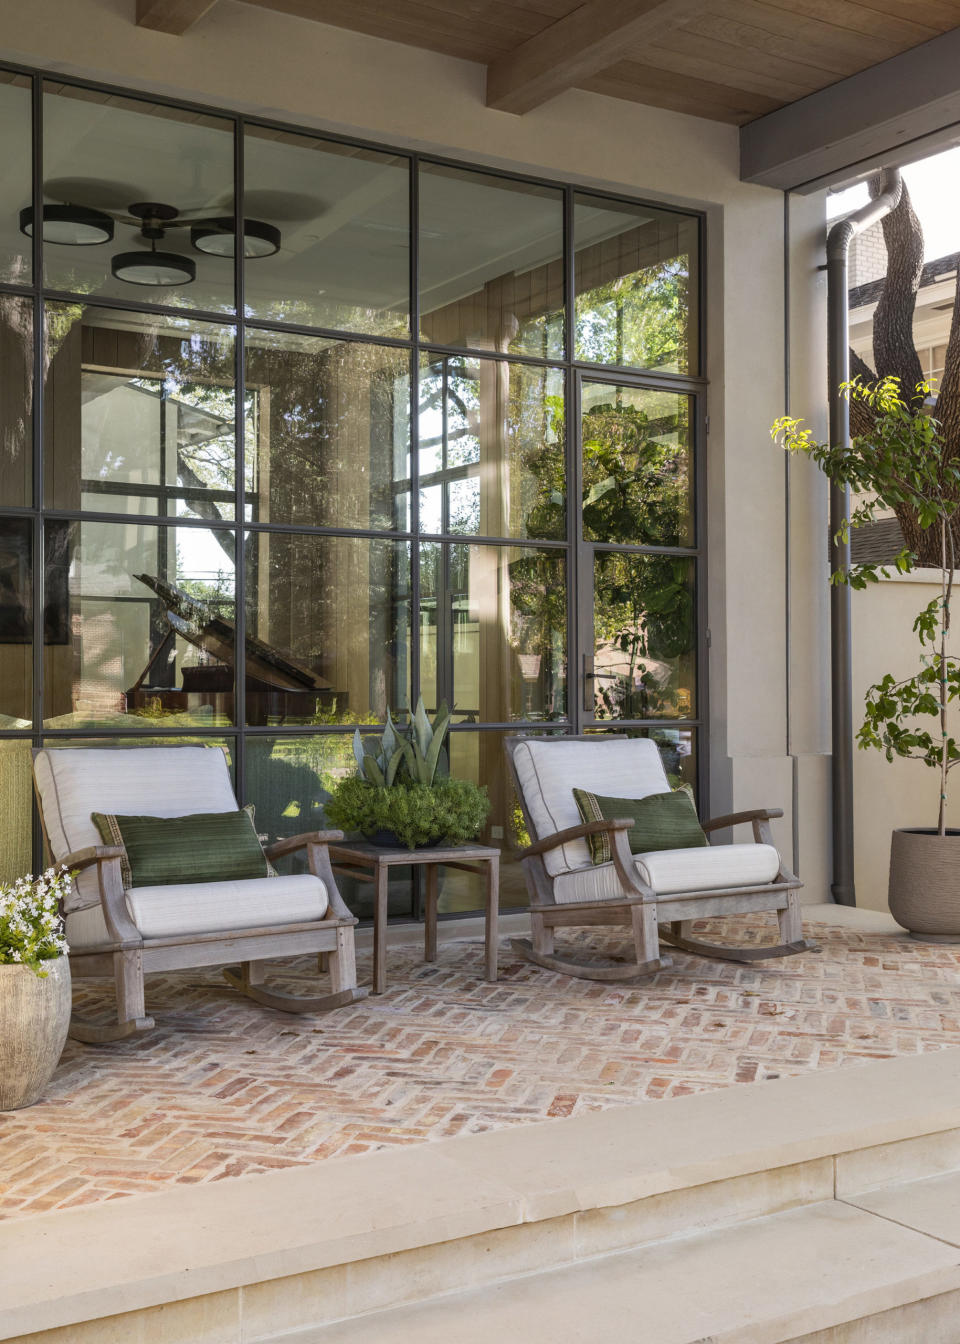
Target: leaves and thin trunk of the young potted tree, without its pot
<point x="904" y="463"/>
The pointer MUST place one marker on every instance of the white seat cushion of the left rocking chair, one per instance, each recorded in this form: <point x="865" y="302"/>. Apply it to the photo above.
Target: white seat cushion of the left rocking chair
<point x="208" y="908"/>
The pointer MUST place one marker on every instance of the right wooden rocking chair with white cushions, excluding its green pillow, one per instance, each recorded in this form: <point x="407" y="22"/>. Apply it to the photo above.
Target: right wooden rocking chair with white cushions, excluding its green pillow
<point x="646" y="892"/>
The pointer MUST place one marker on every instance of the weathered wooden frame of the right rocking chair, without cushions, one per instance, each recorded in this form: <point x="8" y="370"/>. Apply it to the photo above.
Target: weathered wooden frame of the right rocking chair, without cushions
<point x="639" y="909"/>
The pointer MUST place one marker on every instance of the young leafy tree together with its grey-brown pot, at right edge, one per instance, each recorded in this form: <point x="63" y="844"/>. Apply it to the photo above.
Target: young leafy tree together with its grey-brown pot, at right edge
<point x="904" y="463"/>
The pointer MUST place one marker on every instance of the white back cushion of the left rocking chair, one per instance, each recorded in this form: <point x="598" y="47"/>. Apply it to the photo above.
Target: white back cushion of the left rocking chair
<point x="73" y="783"/>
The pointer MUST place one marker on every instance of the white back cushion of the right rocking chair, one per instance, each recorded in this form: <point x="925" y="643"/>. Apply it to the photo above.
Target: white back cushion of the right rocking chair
<point x="551" y="769"/>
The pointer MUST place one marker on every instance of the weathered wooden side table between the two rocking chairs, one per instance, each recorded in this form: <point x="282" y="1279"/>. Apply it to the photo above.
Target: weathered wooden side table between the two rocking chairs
<point x="368" y="862"/>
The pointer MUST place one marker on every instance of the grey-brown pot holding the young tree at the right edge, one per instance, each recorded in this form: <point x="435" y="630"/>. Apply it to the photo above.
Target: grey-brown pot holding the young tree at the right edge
<point x="926" y="884"/>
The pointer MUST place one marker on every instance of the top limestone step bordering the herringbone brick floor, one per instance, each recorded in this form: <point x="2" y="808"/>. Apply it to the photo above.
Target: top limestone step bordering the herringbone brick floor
<point x="243" y="1236"/>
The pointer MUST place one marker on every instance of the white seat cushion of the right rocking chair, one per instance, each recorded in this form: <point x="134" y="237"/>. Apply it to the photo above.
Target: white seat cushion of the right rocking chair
<point x="677" y="872"/>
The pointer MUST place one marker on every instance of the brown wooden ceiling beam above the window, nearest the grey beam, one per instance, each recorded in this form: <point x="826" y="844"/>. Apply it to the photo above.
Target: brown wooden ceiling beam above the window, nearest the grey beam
<point x="575" y="49"/>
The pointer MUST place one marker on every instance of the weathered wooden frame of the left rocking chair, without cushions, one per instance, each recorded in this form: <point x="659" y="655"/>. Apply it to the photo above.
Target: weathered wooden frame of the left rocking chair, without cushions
<point x="128" y="956"/>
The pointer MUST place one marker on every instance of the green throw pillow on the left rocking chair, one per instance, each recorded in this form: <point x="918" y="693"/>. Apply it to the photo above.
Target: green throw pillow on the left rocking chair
<point x="204" y="847"/>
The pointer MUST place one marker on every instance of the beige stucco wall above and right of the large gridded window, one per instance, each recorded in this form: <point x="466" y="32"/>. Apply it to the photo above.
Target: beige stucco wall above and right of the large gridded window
<point x="767" y="710"/>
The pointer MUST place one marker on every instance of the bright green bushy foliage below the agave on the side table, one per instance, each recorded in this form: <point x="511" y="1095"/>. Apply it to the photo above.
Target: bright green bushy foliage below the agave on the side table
<point x="417" y="814"/>
